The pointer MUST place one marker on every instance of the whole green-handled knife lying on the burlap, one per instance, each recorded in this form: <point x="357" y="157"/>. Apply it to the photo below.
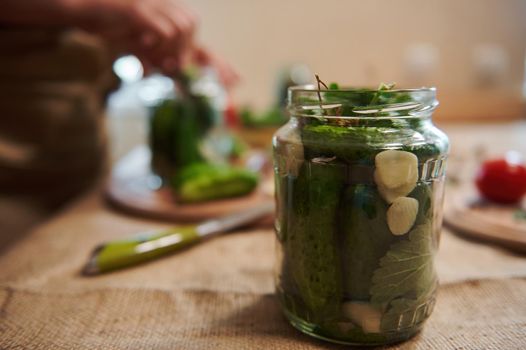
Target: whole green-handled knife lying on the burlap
<point x="119" y="254"/>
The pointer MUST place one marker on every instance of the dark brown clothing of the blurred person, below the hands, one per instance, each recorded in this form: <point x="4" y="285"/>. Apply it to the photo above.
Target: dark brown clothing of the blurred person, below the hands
<point x="52" y="90"/>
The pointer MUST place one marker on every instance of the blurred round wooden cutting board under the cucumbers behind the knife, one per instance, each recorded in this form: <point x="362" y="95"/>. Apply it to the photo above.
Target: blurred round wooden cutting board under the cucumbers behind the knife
<point x="135" y="189"/>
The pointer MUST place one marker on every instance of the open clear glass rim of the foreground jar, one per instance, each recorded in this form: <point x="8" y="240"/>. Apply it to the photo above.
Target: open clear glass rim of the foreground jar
<point x="353" y="102"/>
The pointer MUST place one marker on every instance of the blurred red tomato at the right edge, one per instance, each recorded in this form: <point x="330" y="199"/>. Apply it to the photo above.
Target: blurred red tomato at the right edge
<point x="501" y="181"/>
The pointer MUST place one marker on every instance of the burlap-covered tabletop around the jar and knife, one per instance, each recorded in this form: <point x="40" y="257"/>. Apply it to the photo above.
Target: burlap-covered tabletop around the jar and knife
<point x="219" y="294"/>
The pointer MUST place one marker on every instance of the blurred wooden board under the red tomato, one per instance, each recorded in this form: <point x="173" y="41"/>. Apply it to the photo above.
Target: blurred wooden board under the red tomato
<point x="470" y="216"/>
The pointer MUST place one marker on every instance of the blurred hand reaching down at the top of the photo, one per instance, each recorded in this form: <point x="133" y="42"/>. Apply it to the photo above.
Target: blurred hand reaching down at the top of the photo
<point x="159" y="32"/>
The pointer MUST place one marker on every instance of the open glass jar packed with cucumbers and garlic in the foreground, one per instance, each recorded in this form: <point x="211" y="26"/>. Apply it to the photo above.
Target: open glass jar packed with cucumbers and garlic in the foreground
<point x="359" y="187"/>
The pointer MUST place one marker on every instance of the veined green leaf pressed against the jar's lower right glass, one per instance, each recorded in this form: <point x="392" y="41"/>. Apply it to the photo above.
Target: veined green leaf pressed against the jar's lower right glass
<point x="407" y="270"/>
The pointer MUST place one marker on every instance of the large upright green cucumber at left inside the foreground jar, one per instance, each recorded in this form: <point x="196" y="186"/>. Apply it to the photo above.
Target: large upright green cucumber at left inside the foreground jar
<point x="311" y="236"/>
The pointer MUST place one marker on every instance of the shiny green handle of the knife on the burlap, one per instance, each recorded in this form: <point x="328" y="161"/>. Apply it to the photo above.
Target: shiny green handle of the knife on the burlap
<point x="123" y="253"/>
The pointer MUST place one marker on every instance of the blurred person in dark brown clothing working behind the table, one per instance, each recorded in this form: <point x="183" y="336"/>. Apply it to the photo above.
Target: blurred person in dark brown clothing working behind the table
<point x="55" y="69"/>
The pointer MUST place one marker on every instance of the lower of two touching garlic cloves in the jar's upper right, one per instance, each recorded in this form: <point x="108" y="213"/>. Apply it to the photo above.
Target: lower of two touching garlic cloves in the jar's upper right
<point x="401" y="215"/>
